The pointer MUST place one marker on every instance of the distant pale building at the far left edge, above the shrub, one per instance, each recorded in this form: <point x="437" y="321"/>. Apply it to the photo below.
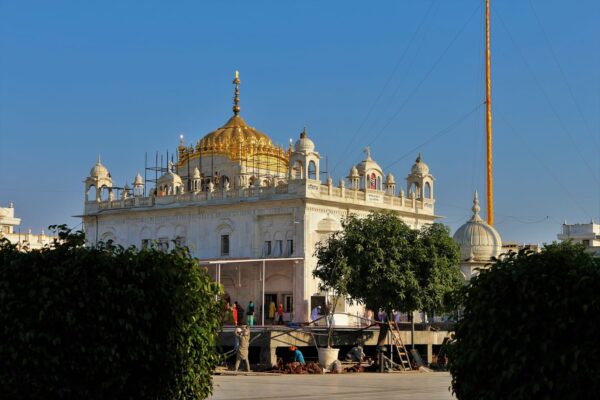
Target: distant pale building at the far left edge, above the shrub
<point x="9" y="229"/>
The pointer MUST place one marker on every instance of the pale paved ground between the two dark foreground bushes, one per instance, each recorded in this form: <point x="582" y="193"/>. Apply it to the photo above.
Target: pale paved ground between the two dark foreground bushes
<point x="414" y="385"/>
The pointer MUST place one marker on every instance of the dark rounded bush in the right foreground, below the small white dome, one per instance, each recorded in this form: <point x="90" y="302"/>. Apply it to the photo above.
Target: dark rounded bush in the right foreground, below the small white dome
<point x="530" y="328"/>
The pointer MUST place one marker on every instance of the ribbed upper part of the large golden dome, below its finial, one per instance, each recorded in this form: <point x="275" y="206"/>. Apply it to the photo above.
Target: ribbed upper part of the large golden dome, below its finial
<point x="234" y="133"/>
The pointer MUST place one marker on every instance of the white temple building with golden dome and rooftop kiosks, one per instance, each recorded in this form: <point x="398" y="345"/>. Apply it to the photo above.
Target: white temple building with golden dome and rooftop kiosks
<point x="250" y="210"/>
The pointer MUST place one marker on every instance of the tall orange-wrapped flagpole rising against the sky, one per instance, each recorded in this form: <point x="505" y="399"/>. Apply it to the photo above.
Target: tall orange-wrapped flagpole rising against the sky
<point x="488" y="107"/>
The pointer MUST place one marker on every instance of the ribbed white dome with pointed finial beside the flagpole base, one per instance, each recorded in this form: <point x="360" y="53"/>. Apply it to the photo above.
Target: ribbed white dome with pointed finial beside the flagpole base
<point x="478" y="241"/>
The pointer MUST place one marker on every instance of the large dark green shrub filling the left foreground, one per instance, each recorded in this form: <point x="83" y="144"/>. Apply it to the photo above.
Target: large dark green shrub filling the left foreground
<point x="105" y="323"/>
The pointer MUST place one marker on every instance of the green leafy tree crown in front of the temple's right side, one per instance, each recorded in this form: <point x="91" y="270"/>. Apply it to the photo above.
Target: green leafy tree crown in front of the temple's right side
<point x="381" y="262"/>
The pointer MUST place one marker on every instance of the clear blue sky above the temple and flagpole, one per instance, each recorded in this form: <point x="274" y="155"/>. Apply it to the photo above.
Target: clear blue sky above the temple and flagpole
<point x="120" y="78"/>
